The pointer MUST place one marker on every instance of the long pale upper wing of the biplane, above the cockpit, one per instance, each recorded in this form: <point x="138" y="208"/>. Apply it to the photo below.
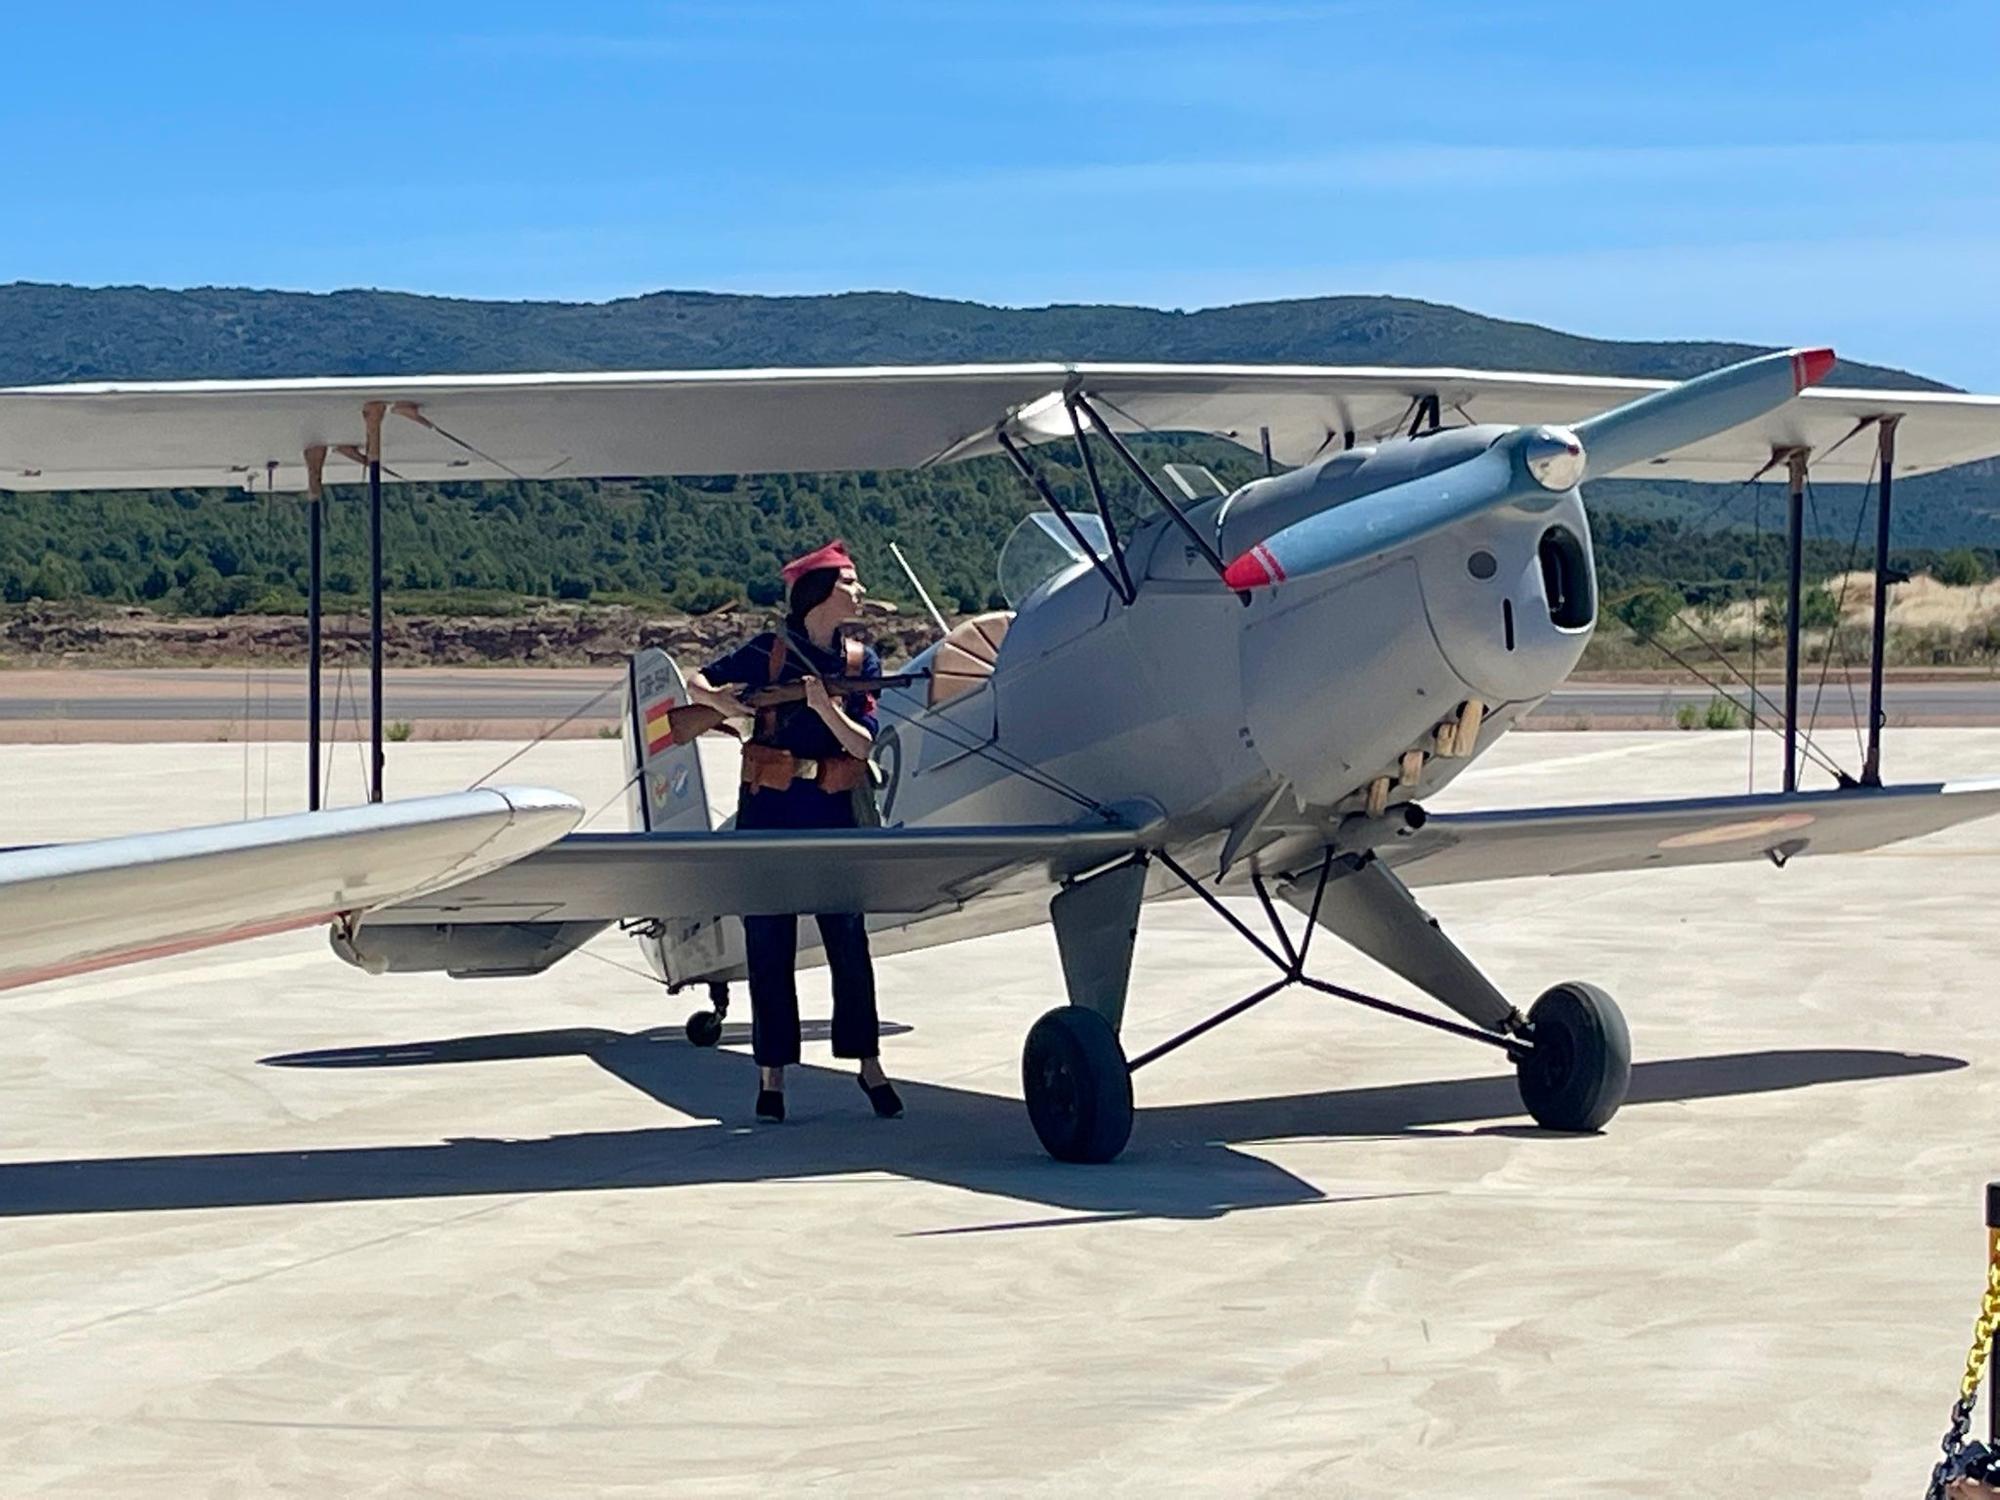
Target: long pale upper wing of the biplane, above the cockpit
<point x="243" y="433"/>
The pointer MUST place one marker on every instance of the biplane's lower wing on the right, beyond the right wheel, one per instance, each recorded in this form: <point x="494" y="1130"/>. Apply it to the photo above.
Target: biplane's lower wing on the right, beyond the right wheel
<point x="1459" y="847"/>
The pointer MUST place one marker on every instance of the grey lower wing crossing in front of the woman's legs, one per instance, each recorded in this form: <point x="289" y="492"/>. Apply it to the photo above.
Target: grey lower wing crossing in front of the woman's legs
<point x="697" y="875"/>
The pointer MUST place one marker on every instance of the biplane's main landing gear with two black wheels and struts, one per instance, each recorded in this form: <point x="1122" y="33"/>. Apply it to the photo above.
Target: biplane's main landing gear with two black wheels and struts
<point x="1573" y="1053"/>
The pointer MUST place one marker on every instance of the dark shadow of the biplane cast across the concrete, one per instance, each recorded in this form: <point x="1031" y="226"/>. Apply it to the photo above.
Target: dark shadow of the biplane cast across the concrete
<point x="1179" y="1165"/>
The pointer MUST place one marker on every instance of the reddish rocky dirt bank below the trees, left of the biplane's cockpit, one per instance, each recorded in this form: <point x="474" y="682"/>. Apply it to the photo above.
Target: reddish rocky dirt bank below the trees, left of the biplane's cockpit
<point x="549" y="637"/>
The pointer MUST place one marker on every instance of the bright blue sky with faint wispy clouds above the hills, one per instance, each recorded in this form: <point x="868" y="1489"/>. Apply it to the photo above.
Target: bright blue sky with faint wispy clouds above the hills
<point x="1763" y="171"/>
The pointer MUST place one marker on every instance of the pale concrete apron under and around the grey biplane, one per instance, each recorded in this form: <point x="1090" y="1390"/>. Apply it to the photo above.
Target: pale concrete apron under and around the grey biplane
<point x="275" y="1227"/>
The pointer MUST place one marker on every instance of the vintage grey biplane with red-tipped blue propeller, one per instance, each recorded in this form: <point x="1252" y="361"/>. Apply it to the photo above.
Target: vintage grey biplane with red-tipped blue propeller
<point x="1245" y="695"/>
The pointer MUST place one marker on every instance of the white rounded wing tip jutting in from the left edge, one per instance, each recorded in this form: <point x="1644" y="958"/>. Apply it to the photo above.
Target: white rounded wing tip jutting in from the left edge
<point x="69" y="909"/>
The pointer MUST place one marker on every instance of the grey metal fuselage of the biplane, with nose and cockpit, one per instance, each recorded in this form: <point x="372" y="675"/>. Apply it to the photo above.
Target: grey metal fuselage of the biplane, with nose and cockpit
<point x="1253" y="731"/>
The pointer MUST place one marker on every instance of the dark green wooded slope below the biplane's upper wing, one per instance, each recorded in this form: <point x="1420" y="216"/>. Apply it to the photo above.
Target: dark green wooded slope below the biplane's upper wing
<point x="693" y="545"/>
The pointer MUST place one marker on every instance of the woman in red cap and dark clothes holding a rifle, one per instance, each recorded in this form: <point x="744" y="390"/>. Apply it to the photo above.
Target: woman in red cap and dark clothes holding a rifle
<point x="803" y="765"/>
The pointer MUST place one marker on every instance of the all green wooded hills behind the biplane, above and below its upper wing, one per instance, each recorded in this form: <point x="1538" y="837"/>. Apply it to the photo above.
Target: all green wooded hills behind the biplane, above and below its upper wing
<point x="701" y="543"/>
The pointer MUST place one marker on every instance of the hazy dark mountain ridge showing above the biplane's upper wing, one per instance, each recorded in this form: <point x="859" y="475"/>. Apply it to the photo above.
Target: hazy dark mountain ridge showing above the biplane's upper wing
<point x="59" y="333"/>
